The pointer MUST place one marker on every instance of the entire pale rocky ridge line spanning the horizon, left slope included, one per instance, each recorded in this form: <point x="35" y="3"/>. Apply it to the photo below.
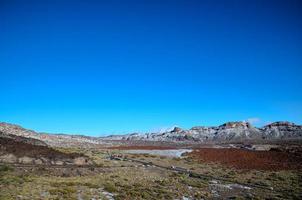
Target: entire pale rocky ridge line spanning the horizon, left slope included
<point x="228" y="132"/>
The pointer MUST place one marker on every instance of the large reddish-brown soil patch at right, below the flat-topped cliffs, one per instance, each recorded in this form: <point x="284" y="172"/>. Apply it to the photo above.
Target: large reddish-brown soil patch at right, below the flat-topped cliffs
<point x="245" y="159"/>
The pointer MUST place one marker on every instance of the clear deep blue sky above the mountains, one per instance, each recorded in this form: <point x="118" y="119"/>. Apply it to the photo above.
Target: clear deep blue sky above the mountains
<point x="101" y="67"/>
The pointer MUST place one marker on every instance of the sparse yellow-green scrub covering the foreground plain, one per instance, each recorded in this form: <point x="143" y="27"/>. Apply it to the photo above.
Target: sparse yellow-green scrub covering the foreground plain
<point x="130" y="180"/>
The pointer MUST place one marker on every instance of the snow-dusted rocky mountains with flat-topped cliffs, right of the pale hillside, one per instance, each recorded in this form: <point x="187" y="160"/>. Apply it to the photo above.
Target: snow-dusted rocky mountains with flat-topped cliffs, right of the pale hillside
<point x="231" y="131"/>
